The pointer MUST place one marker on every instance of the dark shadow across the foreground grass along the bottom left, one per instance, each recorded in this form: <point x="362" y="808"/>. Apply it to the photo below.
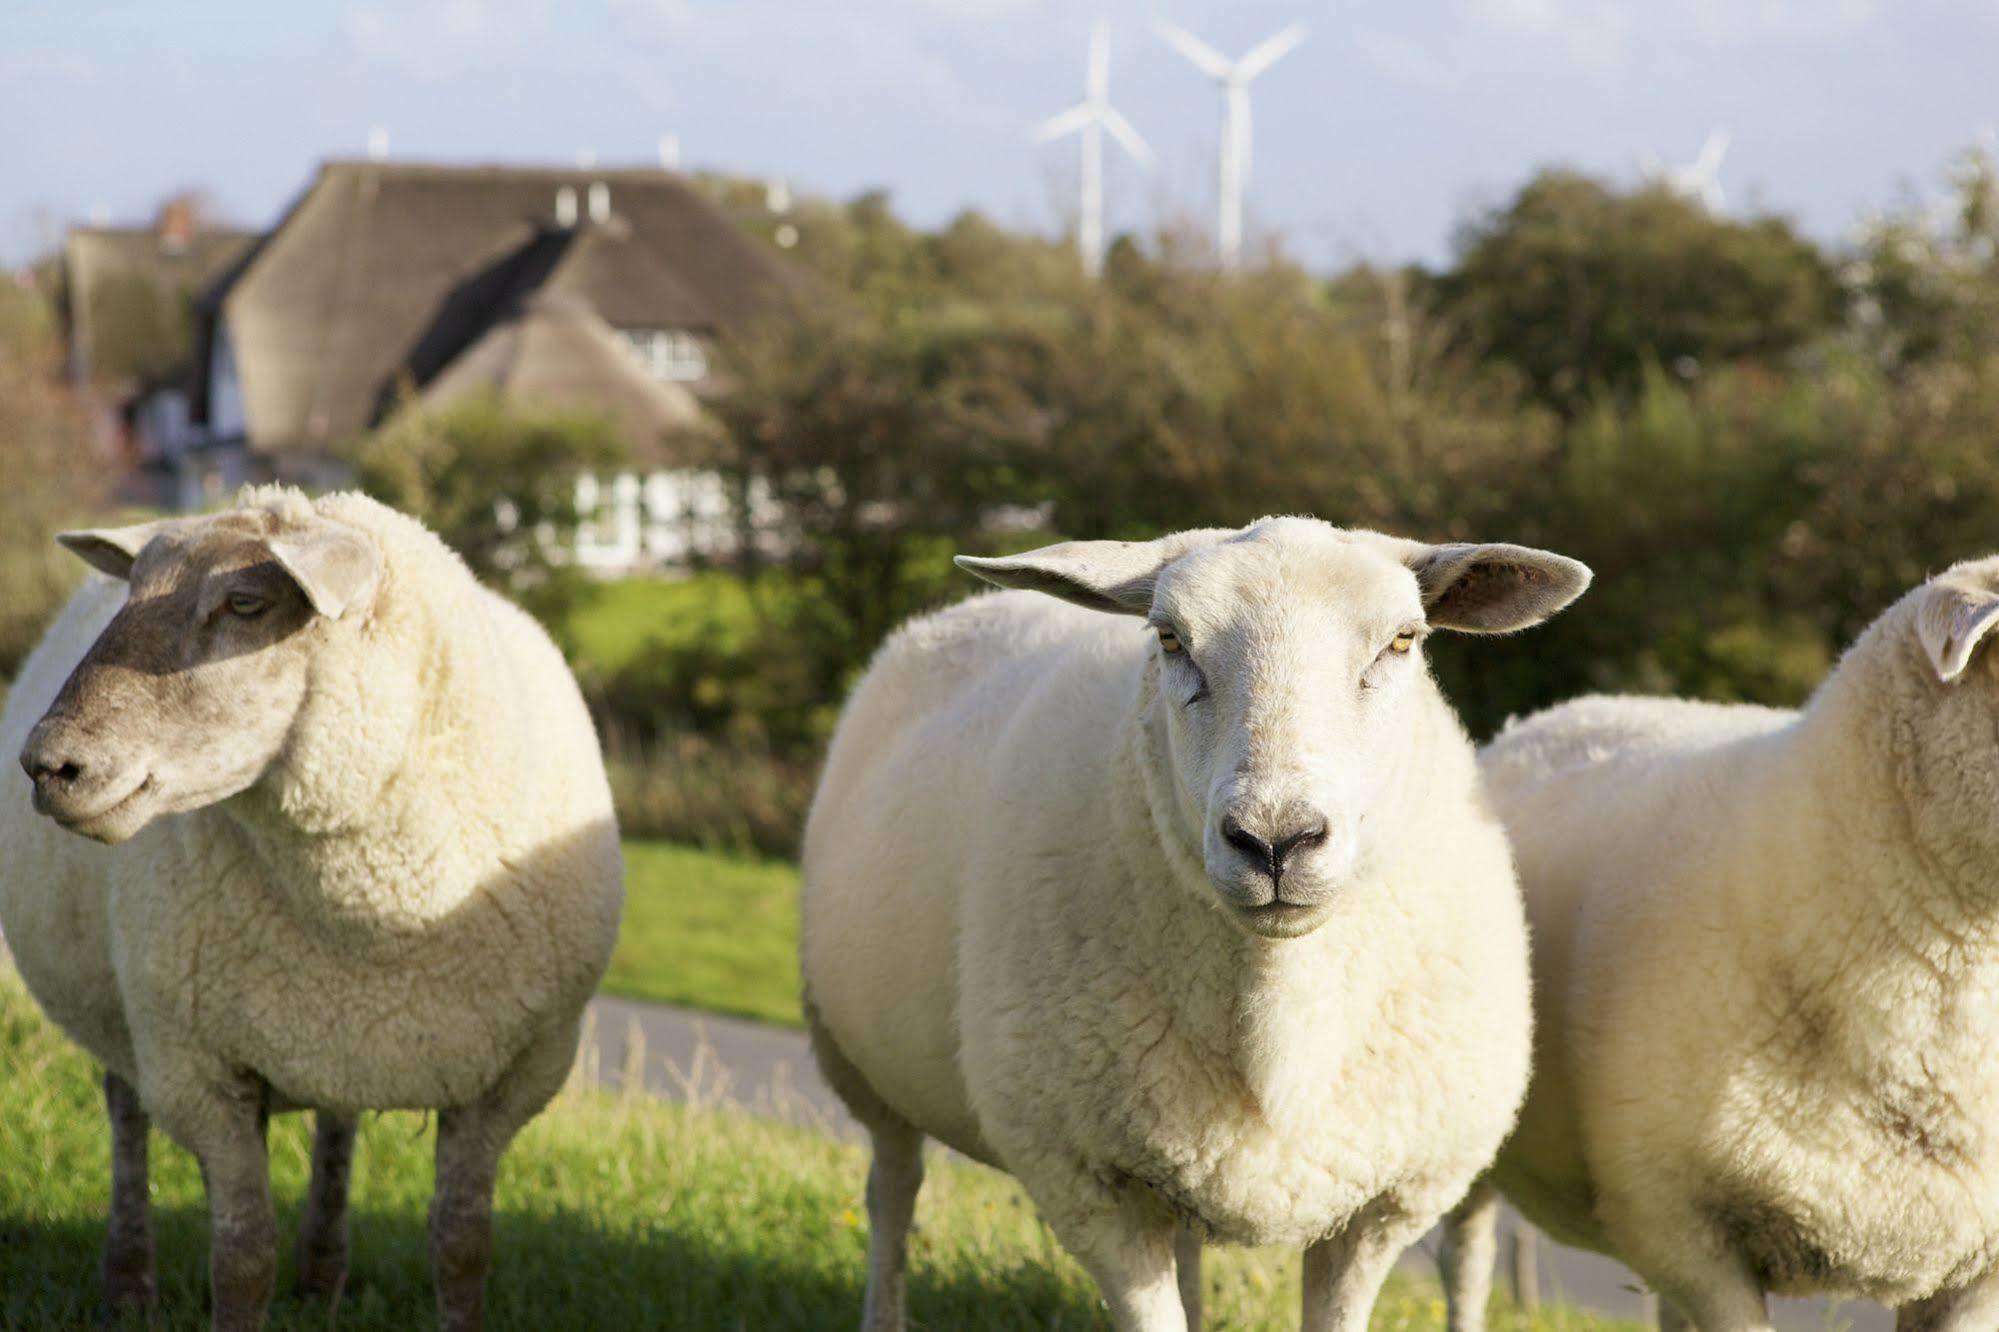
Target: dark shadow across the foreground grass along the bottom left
<point x="551" y="1271"/>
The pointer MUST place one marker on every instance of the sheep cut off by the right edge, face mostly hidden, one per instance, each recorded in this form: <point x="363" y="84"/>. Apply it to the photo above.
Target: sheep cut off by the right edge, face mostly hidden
<point x="1766" y="957"/>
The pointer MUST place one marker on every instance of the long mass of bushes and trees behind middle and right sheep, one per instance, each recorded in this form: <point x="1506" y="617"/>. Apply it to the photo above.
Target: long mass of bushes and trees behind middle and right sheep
<point x="1754" y="459"/>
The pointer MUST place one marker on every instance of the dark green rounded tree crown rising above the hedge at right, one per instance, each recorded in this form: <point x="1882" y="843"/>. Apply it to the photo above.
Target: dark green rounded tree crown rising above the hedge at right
<point x="1582" y="287"/>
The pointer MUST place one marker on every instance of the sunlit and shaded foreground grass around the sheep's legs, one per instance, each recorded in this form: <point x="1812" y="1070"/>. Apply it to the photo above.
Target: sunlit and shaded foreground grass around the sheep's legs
<point x="613" y="1213"/>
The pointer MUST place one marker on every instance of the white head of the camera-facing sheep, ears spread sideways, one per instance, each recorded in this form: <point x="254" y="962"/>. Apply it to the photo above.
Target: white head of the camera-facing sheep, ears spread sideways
<point x="1282" y="677"/>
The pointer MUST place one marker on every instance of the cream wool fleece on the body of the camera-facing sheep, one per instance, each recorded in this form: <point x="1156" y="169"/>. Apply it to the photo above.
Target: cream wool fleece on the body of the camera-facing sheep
<point x="991" y="943"/>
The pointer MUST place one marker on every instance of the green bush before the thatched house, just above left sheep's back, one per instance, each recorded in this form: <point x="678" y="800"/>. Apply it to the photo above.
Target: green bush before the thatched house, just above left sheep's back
<point x="495" y="479"/>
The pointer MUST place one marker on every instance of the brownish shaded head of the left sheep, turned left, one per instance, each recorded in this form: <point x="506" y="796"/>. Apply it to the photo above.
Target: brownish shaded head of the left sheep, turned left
<point x="197" y="683"/>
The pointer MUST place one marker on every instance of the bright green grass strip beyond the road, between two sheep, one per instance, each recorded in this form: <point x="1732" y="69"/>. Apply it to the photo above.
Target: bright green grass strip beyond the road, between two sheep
<point x="709" y="931"/>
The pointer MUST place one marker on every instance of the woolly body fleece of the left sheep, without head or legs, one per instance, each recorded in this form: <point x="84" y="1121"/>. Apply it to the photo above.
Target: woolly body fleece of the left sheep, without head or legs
<point x="423" y="885"/>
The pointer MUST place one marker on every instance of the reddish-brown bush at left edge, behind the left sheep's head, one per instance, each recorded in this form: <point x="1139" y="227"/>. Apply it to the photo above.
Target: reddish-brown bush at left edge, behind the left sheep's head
<point x="45" y="451"/>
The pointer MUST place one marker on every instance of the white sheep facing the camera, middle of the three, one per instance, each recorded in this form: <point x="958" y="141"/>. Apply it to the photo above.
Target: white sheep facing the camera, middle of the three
<point x="1194" y="927"/>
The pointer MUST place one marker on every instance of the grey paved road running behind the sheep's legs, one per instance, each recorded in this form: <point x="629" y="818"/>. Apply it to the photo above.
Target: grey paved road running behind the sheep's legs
<point x="769" y="1071"/>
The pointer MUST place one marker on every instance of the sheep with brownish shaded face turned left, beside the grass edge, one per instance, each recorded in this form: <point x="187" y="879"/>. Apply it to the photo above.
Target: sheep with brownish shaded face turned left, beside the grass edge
<point x="347" y="845"/>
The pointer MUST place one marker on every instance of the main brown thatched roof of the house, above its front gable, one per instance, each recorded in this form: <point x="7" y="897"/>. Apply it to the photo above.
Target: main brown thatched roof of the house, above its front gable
<point x="383" y="273"/>
